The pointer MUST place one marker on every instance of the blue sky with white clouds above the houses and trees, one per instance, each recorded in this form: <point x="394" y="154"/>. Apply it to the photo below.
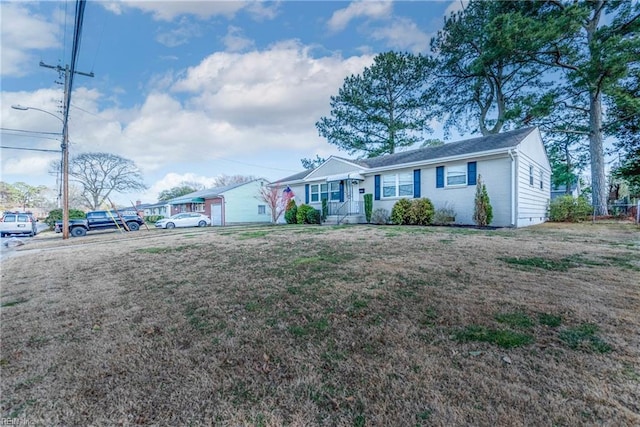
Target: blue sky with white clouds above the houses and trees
<point x="193" y="90"/>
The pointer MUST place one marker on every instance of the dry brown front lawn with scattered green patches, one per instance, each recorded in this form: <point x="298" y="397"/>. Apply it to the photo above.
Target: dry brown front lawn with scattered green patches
<point x="335" y="326"/>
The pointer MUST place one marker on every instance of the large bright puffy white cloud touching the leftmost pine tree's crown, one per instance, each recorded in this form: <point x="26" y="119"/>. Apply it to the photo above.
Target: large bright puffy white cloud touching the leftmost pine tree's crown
<point x="280" y="88"/>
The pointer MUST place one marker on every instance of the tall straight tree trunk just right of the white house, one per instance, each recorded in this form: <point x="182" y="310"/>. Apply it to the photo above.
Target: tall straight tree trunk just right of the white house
<point x="596" y="152"/>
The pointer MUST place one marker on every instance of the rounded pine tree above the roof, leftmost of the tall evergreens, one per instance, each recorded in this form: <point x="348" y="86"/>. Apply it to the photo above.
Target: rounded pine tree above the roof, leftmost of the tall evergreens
<point x="382" y="110"/>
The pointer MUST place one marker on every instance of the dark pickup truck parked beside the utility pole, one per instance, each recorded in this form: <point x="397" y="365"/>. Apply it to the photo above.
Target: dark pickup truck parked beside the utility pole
<point x="102" y="220"/>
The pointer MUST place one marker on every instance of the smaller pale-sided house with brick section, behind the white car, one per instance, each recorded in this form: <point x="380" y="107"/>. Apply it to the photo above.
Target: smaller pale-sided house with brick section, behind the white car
<point x="231" y="204"/>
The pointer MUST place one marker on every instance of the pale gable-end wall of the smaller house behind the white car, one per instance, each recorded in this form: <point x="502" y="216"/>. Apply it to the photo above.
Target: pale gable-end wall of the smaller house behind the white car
<point x="241" y="204"/>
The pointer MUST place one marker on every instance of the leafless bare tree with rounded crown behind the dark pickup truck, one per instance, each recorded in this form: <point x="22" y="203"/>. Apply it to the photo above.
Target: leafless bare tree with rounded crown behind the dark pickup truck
<point x="101" y="174"/>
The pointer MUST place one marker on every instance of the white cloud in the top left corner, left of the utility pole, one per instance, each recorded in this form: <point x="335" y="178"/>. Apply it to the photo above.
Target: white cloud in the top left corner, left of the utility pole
<point x="22" y="34"/>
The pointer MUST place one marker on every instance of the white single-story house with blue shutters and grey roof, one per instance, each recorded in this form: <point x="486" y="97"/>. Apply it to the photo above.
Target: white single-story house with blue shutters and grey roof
<point x="513" y="165"/>
